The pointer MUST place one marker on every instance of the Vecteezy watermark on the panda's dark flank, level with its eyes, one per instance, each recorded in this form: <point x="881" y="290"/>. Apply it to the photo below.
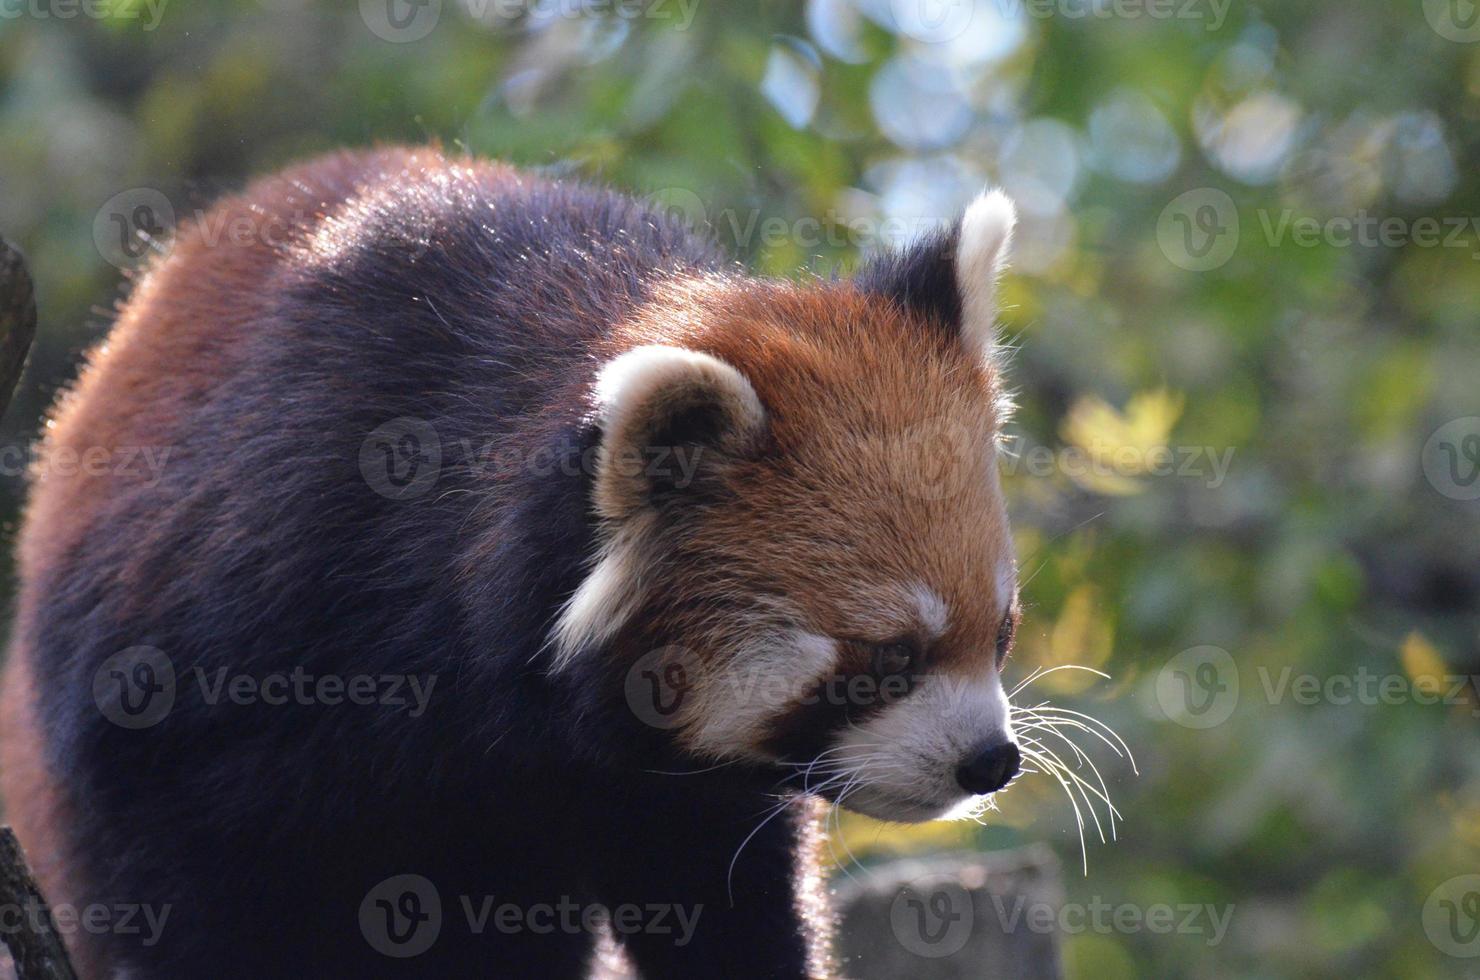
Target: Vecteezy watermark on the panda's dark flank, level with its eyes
<point x="138" y="688"/>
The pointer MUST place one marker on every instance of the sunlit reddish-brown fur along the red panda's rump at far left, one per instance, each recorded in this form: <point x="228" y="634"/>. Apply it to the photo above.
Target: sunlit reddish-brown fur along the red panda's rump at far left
<point x="125" y="399"/>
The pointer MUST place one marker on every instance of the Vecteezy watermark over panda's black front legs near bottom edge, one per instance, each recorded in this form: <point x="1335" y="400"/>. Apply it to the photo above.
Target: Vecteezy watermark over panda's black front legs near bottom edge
<point x="403" y="917"/>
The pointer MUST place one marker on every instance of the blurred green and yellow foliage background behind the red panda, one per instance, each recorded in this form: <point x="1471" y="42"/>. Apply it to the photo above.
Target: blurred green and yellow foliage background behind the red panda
<point x="1316" y="366"/>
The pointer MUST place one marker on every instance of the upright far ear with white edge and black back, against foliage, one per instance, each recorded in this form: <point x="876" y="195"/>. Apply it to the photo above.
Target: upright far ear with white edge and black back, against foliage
<point x="952" y="276"/>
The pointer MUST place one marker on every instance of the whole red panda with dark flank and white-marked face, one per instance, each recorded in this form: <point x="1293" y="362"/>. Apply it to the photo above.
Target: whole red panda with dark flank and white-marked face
<point x="542" y="452"/>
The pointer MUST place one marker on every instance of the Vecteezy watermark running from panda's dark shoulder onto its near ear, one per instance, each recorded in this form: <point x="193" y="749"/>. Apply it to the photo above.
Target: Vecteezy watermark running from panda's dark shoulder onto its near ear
<point x="405" y="458"/>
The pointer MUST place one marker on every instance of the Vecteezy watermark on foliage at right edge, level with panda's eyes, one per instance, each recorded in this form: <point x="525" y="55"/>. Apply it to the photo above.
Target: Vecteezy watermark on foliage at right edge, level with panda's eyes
<point x="1201" y="688"/>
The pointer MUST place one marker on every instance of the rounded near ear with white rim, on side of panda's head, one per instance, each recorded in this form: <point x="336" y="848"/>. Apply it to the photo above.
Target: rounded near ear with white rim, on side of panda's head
<point x="667" y="414"/>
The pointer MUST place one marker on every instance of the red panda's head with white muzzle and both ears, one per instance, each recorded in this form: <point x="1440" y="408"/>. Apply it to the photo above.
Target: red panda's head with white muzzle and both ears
<point x="801" y="511"/>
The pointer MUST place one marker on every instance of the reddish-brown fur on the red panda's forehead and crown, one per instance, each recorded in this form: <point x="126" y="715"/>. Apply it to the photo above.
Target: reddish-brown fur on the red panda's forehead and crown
<point x="895" y="423"/>
